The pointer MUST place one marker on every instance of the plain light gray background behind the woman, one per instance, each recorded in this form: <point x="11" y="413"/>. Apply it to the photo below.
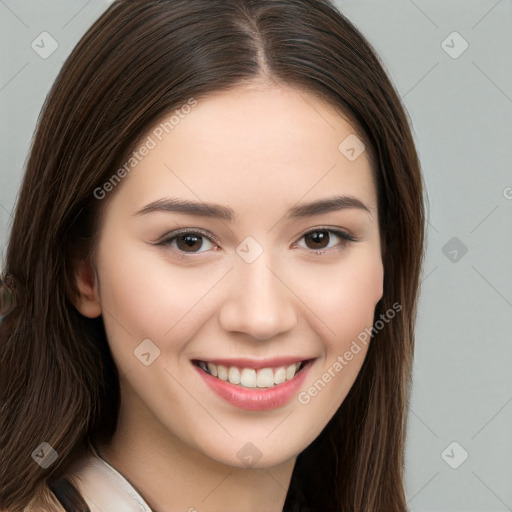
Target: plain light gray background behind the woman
<point x="461" y="111"/>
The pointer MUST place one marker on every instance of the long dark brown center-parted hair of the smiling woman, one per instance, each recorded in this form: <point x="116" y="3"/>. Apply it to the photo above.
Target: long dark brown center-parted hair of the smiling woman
<point x="139" y="60"/>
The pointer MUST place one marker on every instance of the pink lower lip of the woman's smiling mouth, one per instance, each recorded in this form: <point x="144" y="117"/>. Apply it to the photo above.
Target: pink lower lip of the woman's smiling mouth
<point x="256" y="399"/>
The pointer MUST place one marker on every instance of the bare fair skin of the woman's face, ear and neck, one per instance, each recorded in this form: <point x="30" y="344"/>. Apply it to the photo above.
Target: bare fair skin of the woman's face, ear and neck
<point x="259" y="150"/>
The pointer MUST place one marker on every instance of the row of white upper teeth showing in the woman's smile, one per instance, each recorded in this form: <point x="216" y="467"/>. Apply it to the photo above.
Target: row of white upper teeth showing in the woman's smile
<point x="250" y="377"/>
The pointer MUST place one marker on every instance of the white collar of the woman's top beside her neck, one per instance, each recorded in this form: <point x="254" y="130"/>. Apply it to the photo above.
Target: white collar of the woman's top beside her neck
<point x="105" y="489"/>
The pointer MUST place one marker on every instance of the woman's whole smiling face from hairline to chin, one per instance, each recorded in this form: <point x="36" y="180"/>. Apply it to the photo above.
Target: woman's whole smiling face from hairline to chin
<point x="233" y="325"/>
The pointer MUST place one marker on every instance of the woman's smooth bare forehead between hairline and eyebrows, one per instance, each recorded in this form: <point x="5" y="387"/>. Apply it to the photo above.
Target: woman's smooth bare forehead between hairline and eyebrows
<point x="251" y="147"/>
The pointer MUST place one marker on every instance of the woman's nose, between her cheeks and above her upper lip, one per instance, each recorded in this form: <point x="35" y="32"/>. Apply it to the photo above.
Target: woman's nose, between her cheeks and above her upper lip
<point x="259" y="302"/>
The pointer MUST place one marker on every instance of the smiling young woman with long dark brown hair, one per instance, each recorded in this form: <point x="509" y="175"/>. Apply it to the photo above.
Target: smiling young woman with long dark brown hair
<point x="214" y="268"/>
